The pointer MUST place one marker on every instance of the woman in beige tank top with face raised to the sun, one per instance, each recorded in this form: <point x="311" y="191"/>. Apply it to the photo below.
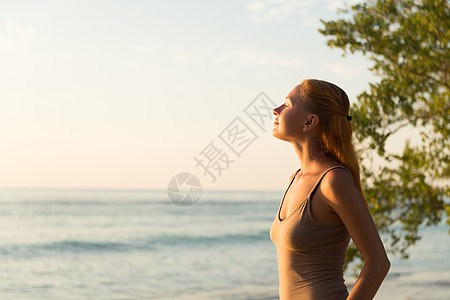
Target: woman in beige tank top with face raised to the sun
<point x="323" y="206"/>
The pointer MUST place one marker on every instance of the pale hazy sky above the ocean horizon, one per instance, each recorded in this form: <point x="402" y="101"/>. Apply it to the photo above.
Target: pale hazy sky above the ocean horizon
<point x="127" y="94"/>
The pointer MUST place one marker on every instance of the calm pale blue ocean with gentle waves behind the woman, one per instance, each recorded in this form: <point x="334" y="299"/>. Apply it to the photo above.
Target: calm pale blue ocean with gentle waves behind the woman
<point x="120" y="244"/>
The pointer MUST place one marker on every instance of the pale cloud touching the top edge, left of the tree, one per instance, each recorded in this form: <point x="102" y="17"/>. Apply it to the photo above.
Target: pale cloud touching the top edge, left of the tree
<point x="260" y="11"/>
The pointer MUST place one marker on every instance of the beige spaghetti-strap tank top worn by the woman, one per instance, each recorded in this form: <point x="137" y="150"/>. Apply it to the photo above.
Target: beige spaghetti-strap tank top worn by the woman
<point x="311" y="255"/>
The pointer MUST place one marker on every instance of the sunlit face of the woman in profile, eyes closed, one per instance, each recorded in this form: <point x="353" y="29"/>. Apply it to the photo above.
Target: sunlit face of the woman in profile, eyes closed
<point x="289" y="118"/>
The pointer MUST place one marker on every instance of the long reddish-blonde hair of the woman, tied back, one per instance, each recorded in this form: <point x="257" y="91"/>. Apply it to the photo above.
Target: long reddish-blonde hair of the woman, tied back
<point x="332" y="106"/>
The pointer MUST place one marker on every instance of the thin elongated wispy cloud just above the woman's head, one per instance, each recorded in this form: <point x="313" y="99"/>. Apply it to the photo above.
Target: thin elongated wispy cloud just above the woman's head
<point x="259" y="58"/>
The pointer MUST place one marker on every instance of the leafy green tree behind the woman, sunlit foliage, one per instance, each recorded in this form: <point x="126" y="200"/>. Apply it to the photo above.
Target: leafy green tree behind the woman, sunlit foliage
<point x="407" y="43"/>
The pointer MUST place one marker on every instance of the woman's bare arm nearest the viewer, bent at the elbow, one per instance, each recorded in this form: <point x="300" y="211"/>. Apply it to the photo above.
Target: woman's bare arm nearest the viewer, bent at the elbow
<point x="345" y="199"/>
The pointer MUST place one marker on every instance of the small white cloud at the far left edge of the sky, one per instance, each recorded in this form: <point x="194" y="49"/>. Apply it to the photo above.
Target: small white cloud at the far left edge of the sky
<point x="14" y="36"/>
